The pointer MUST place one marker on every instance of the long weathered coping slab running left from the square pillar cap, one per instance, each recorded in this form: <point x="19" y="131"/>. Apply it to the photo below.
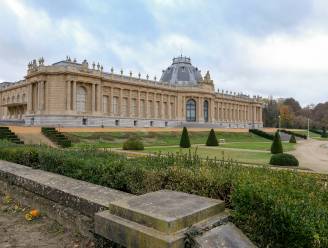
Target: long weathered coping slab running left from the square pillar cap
<point x="87" y="198"/>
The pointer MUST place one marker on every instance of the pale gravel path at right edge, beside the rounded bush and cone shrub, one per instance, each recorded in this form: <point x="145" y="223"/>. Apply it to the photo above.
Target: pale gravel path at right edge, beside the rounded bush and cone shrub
<point x="313" y="154"/>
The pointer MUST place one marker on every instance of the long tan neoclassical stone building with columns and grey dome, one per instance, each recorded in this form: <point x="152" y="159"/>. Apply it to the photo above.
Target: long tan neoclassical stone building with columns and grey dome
<point x="68" y="93"/>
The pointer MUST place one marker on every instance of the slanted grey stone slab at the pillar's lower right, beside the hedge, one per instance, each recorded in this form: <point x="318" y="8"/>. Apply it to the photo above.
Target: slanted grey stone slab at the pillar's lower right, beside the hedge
<point x="224" y="236"/>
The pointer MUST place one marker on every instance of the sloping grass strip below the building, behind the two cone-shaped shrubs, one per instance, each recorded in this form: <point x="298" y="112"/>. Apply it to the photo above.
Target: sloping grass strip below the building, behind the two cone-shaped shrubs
<point x="116" y="139"/>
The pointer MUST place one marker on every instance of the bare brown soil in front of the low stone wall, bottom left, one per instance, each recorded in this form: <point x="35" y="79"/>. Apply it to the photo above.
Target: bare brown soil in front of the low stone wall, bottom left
<point x="16" y="231"/>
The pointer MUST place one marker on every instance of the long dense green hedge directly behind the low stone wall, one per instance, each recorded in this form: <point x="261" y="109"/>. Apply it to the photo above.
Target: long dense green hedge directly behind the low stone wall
<point x="274" y="208"/>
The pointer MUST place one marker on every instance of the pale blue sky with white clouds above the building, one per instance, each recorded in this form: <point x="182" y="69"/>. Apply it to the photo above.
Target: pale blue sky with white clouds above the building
<point x="272" y="47"/>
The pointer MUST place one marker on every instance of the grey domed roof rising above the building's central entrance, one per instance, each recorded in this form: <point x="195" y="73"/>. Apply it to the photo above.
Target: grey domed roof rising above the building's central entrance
<point x="181" y="72"/>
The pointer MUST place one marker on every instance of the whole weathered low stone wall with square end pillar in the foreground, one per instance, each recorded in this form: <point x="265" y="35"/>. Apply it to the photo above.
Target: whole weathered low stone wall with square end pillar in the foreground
<point x="159" y="219"/>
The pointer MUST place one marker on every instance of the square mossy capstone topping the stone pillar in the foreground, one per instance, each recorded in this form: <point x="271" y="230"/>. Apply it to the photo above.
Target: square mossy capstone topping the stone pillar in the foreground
<point x="167" y="211"/>
